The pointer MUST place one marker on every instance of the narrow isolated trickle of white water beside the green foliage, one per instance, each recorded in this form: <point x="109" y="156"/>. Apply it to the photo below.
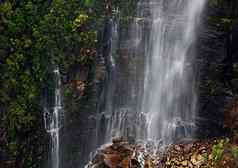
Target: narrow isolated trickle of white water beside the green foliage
<point x="53" y="121"/>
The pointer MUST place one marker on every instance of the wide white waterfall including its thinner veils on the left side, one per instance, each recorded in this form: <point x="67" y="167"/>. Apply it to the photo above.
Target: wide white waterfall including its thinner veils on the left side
<point x="150" y="91"/>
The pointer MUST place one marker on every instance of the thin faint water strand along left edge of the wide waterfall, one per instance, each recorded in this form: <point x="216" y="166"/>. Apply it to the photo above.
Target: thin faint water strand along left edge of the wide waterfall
<point x="104" y="119"/>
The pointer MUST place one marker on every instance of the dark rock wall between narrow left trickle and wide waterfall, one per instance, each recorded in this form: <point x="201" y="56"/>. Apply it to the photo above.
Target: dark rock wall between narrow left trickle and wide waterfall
<point x="78" y="134"/>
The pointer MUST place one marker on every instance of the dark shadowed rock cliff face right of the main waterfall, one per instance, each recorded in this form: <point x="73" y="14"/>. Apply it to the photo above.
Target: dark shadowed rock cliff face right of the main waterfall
<point x="217" y="62"/>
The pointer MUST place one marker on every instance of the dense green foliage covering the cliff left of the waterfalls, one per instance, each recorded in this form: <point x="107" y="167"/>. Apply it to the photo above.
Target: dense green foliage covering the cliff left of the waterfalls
<point x="35" y="35"/>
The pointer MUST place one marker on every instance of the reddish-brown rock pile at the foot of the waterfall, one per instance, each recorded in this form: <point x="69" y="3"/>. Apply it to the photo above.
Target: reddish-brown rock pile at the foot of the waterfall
<point x="194" y="154"/>
